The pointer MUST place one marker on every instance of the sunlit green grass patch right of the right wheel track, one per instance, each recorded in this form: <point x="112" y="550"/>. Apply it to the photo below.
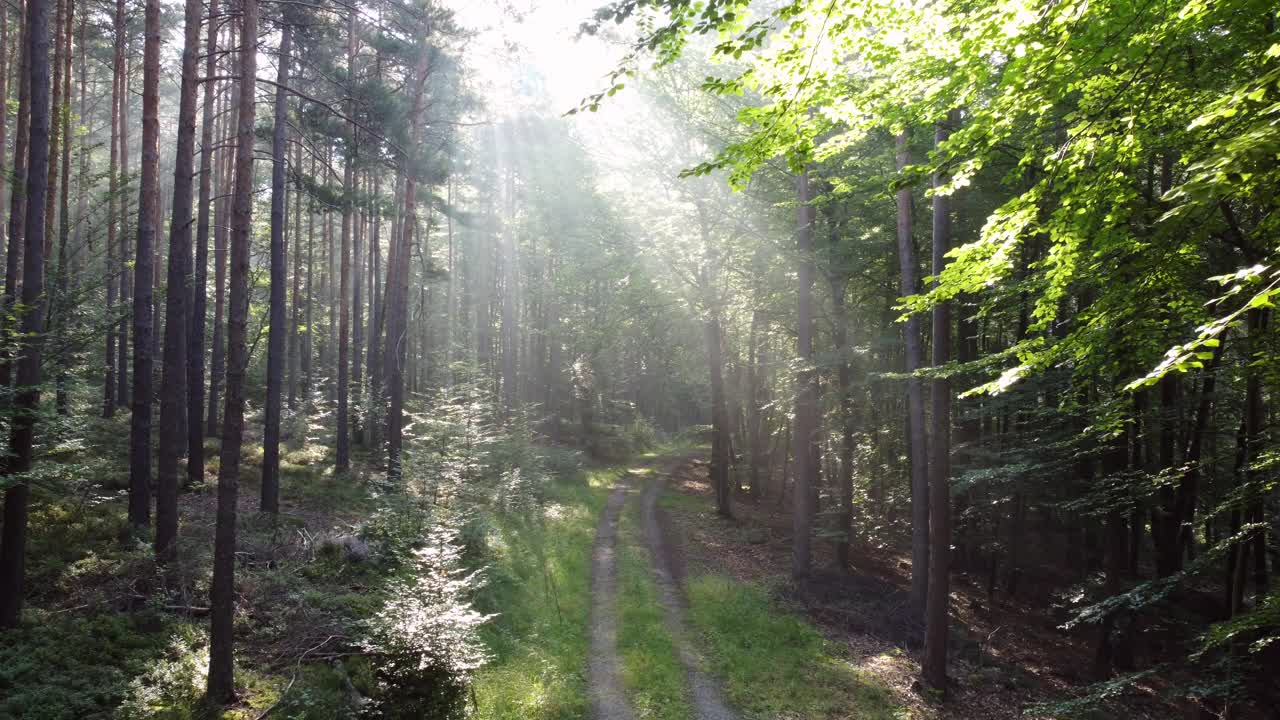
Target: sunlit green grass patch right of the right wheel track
<point x="774" y="663"/>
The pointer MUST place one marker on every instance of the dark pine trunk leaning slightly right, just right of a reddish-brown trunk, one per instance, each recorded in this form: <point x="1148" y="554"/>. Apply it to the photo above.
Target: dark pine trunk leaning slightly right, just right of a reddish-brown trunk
<point x="173" y="388"/>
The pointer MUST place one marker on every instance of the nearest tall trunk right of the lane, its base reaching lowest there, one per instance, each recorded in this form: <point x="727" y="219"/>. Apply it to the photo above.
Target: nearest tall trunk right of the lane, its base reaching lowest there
<point x="935" y="667"/>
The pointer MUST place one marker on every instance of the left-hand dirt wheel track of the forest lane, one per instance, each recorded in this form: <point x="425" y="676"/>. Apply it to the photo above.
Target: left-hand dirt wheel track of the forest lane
<point x="609" y="701"/>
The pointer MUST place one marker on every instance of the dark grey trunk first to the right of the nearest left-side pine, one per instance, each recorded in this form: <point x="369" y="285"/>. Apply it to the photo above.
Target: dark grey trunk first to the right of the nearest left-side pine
<point x="271" y="498"/>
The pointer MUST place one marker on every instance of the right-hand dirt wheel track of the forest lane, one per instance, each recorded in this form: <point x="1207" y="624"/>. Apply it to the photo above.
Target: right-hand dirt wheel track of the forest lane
<point x="708" y="701"/>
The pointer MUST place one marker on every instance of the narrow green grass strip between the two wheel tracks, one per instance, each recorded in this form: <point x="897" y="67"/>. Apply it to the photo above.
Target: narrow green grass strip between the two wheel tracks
<point x="652" y="672"/>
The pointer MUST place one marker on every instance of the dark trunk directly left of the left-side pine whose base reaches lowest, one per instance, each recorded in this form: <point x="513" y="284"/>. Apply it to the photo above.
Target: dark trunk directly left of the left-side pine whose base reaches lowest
<point x="199" y="294"/>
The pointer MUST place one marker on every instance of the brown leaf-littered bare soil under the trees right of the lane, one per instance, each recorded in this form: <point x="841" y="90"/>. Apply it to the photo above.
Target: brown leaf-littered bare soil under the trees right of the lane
<point x="1005" y="654"/>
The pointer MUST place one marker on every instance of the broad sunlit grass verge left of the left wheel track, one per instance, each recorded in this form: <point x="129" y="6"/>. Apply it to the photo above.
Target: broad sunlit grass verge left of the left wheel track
<point x="540" y="584"/>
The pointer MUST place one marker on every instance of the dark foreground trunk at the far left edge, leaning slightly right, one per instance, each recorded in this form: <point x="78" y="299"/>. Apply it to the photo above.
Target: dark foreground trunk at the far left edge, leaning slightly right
<point x="13" y="541"/>
